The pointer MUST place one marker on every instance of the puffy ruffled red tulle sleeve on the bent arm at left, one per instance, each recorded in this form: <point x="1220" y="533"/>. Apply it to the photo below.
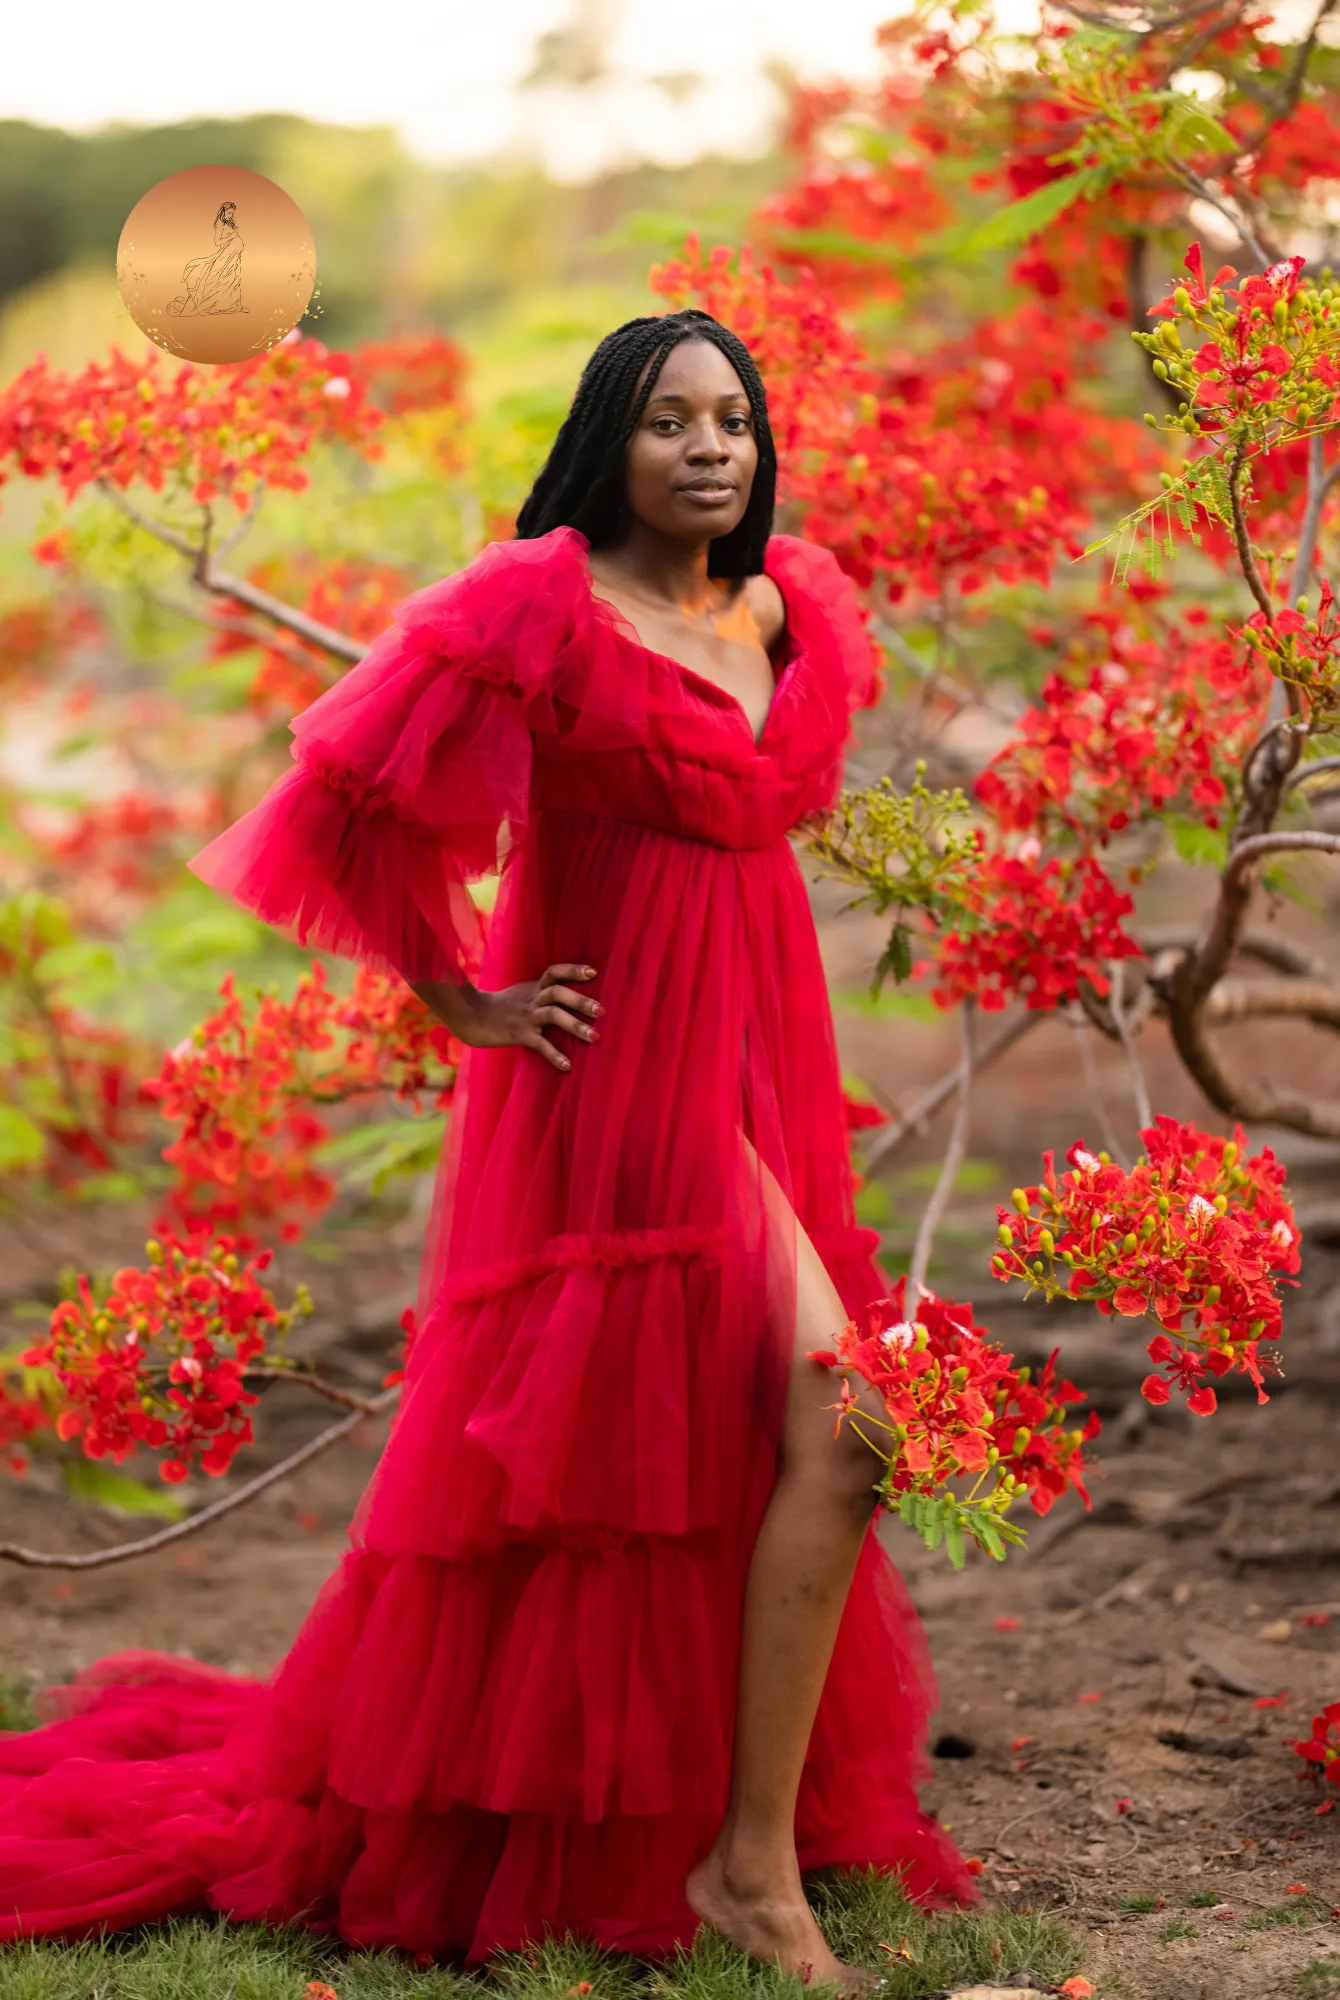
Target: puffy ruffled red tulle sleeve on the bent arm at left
<point x="411" y="777"/>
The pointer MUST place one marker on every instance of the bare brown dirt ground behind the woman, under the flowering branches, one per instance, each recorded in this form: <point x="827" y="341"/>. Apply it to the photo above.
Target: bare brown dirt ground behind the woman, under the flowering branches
<point x="1113" y="1701"/>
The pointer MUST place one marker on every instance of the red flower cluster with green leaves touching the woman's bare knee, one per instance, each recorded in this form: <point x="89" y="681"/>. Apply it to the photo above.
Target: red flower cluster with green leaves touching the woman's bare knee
<point x="957" y="1409"/>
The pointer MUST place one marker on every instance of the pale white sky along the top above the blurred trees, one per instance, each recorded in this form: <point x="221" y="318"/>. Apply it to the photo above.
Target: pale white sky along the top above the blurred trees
<point x="443" y="71"/>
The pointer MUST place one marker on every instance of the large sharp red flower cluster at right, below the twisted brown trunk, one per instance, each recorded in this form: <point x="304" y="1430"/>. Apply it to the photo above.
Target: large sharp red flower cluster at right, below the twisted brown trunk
<point x="1197" y="1239"/>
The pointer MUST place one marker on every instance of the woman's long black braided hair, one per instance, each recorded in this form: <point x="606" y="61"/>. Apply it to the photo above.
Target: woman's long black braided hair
<point x="583" y="479"/>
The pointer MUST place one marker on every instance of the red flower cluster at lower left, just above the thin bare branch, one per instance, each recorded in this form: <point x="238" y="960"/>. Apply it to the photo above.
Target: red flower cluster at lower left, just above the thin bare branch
<point x="161" y="1361"/>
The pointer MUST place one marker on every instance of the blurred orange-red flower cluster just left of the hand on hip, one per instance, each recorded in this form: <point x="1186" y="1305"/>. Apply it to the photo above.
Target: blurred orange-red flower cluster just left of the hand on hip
<point x="243" y="1093"/>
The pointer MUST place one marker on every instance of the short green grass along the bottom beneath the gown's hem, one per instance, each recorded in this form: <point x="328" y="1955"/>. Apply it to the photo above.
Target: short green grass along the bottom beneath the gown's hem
<point x="197" y="1959"/>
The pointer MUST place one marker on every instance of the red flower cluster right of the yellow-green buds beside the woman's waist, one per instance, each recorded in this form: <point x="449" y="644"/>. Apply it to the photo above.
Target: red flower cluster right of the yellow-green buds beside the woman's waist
<point x="1033" y="929"/>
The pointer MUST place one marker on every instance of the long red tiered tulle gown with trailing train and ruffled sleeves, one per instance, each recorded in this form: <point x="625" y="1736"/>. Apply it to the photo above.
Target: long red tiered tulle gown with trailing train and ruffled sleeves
<point x="511" y="1709"/>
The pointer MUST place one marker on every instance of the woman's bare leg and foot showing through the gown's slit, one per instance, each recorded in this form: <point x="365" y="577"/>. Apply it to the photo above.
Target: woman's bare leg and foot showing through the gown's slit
<point x="749" y="1887"/>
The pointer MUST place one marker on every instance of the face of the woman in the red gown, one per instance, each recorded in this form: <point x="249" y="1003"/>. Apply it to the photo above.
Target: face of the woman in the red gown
<point x="693" y="457"/>
